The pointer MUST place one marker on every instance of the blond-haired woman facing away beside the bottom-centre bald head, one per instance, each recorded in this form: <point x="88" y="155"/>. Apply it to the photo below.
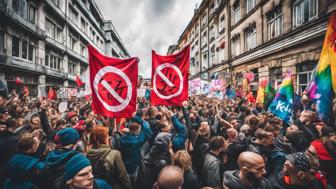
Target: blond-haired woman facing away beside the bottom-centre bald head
<point x="182" y="159"/>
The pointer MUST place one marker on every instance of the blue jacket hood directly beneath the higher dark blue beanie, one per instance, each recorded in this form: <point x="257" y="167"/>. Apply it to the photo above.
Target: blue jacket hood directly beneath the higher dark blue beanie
<point x="58" y="156"/>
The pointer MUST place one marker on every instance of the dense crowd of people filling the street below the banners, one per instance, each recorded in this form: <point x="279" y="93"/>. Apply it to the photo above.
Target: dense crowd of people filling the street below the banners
<point x="205" y="143"/>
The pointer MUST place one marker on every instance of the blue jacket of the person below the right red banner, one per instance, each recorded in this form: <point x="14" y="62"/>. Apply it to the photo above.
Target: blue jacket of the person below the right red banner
<point x="180" y="137"/>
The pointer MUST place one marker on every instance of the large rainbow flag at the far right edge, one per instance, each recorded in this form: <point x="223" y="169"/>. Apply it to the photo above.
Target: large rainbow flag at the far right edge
<point x="321" y="88"/>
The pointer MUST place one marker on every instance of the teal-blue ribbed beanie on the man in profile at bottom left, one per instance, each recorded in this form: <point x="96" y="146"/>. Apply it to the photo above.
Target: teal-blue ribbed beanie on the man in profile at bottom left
<point x="74" y="165"/>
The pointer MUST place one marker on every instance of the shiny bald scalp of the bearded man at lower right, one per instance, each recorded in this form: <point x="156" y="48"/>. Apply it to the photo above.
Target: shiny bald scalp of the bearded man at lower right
<point x="248" y="159"/>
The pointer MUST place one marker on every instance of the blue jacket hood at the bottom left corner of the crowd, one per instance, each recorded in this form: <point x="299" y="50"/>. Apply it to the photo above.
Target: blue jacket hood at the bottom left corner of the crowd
<point x="21" y="165"/>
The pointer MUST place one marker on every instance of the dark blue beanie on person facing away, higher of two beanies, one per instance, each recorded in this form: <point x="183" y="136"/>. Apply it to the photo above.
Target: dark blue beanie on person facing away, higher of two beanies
<point x="66" y="136"/>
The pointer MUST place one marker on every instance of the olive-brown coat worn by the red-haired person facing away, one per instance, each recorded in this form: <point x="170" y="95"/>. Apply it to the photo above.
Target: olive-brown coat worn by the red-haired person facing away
<point x="111" y="160"/>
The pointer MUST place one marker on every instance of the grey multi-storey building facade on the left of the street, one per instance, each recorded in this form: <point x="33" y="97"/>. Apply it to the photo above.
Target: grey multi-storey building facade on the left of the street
<point x="44" y="42"/>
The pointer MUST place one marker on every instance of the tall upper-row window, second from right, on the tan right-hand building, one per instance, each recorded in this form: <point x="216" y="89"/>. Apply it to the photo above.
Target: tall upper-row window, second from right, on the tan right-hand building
<point x="274" y="23"/>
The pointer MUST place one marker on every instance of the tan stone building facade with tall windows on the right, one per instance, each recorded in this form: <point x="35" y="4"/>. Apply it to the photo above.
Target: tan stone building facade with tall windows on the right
<point x="229" y="38"/>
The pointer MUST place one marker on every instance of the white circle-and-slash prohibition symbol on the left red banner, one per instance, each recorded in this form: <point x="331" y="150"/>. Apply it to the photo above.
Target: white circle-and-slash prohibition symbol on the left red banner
<point x="99" y="78"/>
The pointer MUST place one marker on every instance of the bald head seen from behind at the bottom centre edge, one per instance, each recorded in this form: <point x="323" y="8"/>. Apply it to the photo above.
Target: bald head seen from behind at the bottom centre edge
<point x="170" y="177"/>
